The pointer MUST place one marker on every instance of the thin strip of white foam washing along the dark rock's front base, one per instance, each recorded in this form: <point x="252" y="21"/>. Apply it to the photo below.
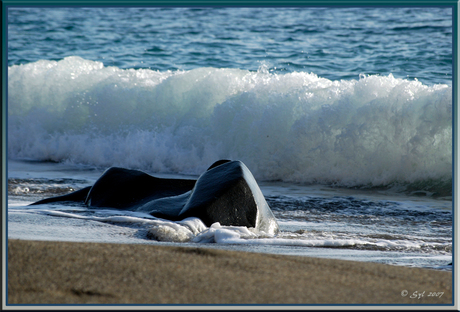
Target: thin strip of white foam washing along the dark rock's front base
<point x="194" y="231"/>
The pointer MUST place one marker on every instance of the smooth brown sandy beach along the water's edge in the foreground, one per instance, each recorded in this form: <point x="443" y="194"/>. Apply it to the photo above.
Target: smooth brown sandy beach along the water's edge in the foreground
<point x="45" y="272"/>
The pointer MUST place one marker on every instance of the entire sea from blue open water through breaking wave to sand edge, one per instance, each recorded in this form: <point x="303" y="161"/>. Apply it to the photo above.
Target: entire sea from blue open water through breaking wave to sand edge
<point x="343" y="115"/>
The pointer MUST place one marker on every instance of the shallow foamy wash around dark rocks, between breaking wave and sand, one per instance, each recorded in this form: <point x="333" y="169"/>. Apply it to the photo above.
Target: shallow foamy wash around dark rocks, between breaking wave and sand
<point x="314" y="220"/>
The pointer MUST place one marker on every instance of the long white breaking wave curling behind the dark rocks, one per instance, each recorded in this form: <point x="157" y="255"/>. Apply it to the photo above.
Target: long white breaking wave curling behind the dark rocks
<point x="297" y="126"/>
